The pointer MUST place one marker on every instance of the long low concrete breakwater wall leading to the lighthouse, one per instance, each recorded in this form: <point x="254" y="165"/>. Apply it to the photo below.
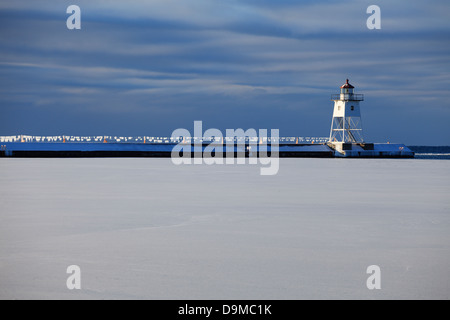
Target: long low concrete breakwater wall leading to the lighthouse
<point x="74" y="150"/>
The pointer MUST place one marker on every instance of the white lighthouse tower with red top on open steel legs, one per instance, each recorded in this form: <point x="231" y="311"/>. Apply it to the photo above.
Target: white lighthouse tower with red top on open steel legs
<point x="346" y="126"/>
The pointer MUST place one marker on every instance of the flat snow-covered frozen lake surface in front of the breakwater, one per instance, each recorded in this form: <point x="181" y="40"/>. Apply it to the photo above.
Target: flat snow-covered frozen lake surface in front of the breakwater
<point x="147" y="229"/>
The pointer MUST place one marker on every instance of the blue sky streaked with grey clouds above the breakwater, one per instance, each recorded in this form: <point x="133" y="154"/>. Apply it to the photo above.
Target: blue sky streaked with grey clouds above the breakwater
<point x="150" y="67"/>
